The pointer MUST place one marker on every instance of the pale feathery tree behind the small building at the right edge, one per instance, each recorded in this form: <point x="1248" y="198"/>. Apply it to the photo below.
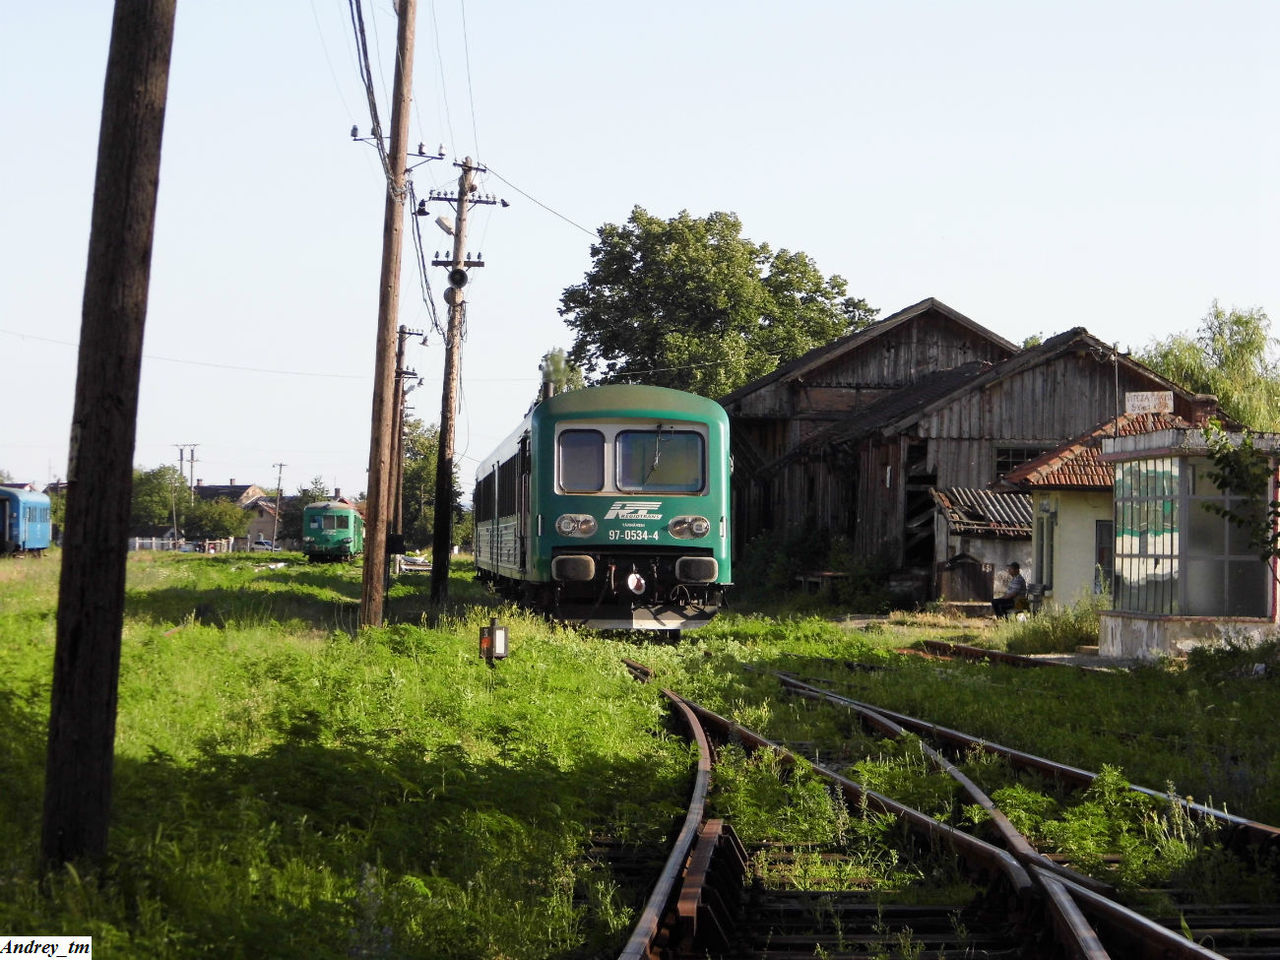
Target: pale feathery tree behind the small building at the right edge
<point x="1229" y="356"/>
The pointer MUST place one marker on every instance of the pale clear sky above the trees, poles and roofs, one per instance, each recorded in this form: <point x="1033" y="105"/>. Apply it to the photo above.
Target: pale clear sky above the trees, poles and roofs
<point x="1035" y="166"/>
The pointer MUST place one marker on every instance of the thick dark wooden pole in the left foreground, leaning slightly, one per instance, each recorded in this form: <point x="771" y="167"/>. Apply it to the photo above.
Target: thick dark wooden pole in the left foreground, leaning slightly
<point x="104" y="427"/>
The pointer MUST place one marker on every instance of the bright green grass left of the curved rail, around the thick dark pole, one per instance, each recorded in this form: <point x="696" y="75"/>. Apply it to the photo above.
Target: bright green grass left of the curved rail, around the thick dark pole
<point x="287" y="789"/>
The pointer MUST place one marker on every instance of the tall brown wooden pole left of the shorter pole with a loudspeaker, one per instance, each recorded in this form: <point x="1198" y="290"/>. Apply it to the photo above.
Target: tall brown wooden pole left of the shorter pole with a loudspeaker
<point x="381" y="442"/>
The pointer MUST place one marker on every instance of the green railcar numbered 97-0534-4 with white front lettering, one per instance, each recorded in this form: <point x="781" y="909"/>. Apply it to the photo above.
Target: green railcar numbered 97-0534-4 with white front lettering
<point x="609" y="508"/>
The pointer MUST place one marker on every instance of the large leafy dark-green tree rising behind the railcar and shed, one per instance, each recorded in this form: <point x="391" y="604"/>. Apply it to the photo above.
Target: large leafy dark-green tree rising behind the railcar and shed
<point x="692" y="304"/>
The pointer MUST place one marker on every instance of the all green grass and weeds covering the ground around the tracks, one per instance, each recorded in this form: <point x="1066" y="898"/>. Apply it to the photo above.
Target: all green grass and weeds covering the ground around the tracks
<point x="289" y="787"/>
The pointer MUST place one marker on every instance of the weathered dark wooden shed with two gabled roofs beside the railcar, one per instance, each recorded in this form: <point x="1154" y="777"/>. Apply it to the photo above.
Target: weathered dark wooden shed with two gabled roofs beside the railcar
<point x="852" y="440"/>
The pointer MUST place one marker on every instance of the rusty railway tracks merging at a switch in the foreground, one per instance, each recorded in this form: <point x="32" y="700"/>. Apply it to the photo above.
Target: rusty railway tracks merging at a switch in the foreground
<point x="720" y="899"/>
